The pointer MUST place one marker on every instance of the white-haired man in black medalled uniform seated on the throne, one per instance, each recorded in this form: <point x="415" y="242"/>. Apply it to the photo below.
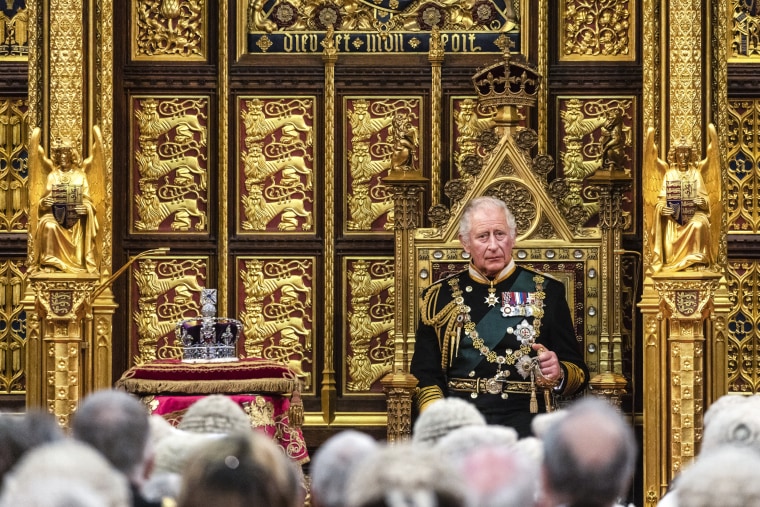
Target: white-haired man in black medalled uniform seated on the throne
<point x="496" y="334"/>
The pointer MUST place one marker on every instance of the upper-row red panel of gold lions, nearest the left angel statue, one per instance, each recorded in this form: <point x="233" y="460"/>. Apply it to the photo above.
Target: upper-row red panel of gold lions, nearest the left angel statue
<point x="170" y="173"/>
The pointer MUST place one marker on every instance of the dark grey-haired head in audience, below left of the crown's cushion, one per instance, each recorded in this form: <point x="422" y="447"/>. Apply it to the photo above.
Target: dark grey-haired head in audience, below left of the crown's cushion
<point x="116" y="424"/>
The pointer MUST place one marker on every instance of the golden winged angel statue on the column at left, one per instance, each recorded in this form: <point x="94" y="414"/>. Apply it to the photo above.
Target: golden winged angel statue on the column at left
<point x="65" y="196"/>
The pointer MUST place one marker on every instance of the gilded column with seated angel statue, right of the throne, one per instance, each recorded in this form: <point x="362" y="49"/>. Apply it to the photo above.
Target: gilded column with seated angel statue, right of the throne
<point x="684" y="301"/>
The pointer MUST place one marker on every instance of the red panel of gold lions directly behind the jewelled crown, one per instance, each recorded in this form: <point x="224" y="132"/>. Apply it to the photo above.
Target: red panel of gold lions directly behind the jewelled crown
<point x="163" y="292"/>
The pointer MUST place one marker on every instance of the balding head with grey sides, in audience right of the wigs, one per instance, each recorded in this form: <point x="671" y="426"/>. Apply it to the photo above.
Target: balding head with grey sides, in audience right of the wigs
<point x="589" y="456"/>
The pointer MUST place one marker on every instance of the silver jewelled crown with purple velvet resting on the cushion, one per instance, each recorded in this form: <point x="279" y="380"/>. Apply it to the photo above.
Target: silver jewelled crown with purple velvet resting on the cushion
<point x="208" y="338"/>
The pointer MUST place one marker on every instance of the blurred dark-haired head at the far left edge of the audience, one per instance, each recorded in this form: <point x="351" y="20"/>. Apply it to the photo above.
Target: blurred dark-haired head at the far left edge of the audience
<point x="21" y="432"/>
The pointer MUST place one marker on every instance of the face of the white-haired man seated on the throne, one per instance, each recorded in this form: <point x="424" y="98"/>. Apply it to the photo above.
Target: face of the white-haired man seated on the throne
<point x="488" y="242"/>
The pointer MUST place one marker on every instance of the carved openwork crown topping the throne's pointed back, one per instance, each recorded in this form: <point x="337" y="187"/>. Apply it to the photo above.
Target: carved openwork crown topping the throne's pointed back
<point x="512" y="81"/>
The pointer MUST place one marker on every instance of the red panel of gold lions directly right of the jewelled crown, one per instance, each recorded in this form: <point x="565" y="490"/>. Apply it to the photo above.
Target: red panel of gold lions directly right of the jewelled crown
<point x="275" y="303"/>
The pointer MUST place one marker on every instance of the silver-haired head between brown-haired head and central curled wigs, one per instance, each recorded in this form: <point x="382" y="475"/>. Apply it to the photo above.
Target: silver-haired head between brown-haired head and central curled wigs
<point x="333" y="463"/>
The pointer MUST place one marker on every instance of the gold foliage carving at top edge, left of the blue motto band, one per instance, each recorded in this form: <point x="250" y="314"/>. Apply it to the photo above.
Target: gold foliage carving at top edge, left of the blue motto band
<point x="169" y="29"/>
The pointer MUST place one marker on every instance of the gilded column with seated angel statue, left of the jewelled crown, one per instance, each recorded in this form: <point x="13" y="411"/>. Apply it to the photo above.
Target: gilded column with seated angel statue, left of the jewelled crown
<point x="69" y="340"/>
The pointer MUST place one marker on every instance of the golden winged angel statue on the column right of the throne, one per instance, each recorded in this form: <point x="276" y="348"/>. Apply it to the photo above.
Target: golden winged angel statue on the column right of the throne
<point x="682" y="205"/>
